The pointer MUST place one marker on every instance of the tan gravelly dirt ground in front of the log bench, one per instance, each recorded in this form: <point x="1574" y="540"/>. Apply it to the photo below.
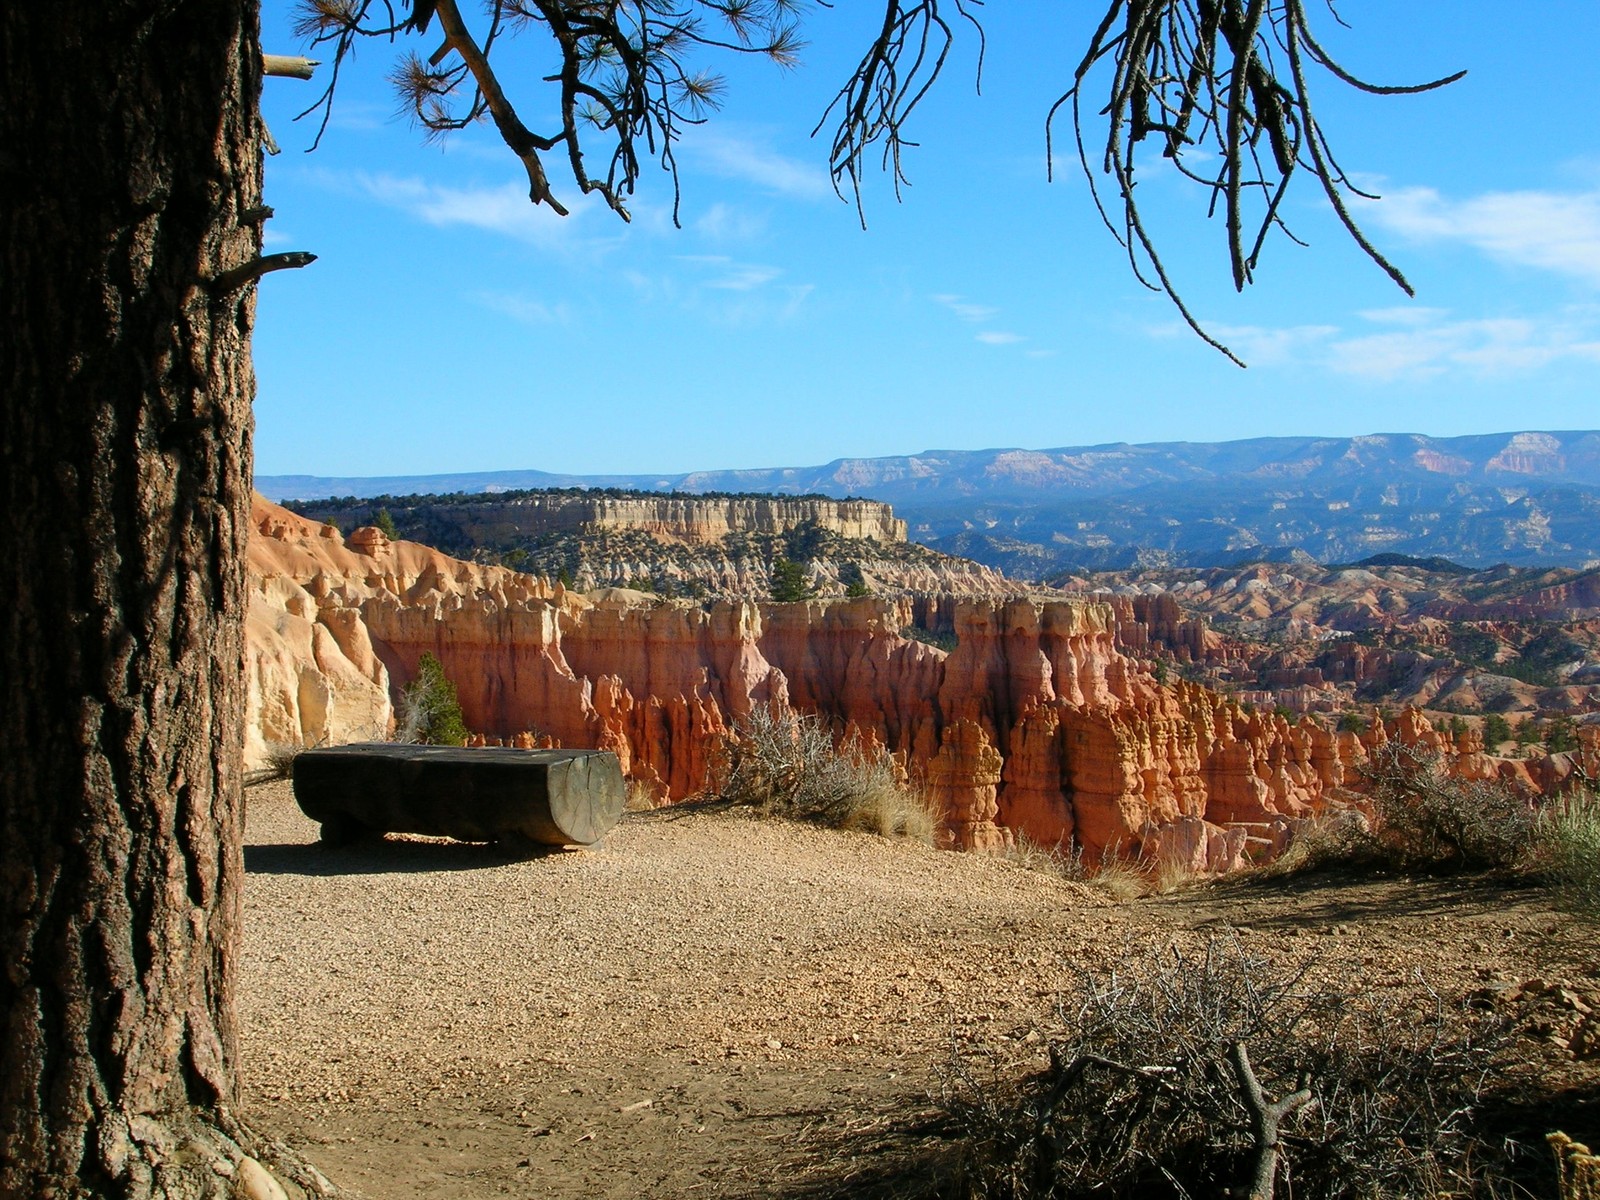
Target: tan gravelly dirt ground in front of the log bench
<point x="711" y="1006"/>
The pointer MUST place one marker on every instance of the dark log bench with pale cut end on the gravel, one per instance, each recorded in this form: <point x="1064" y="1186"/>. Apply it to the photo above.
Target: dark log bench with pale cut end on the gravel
<point x="522" y="799"/>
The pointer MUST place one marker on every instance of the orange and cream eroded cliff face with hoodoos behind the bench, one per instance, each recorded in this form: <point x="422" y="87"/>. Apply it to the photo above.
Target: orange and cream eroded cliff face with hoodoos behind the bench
<point x="1036" y="724"/>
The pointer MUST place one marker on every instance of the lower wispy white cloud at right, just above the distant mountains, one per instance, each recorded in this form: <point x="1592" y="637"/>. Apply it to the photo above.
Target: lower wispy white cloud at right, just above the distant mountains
<point x="1422" y="343"/>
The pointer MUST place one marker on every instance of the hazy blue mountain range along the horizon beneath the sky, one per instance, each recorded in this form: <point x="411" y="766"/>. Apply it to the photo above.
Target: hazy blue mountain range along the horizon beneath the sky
<point x="1518" y="498"/>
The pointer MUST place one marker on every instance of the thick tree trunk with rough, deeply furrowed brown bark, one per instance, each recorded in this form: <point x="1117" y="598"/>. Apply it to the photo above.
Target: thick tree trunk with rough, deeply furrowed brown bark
<point x="129" y="170"/>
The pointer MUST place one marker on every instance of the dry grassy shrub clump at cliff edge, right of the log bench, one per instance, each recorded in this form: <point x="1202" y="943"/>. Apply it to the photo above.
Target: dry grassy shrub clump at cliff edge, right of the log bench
<point x="788" y="766"/>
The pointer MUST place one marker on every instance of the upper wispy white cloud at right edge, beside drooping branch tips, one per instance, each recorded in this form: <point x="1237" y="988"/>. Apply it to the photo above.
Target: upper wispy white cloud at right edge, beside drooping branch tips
<point x="1551" y="231"/>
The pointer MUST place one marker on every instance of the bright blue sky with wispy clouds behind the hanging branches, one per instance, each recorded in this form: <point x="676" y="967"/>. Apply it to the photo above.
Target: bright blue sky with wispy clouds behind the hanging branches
<point x="449" y="326"/>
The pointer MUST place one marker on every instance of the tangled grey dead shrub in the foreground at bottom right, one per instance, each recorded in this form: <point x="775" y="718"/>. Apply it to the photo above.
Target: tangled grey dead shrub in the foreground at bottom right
<point x="1226" y="1074"/>
